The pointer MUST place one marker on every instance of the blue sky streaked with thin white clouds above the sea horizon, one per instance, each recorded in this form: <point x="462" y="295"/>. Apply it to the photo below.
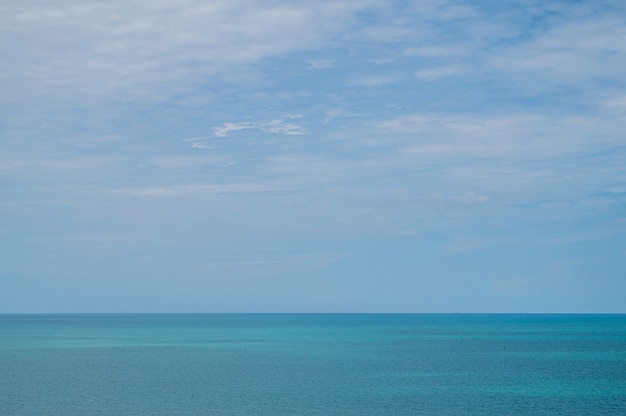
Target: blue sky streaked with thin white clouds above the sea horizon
<point x="313" y="156"/>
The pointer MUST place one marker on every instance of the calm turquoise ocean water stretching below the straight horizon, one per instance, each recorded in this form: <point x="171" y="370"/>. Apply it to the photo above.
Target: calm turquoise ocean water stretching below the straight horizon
<point x="326" y="364"/>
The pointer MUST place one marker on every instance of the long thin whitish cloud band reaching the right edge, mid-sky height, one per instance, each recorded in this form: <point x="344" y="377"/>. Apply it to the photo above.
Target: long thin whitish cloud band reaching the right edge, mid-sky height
<point x="514" y="134"/>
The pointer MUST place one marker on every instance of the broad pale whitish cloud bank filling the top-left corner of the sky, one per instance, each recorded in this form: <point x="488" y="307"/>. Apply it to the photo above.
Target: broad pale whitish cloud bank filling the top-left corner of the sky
<point x="151" y="47"/>
